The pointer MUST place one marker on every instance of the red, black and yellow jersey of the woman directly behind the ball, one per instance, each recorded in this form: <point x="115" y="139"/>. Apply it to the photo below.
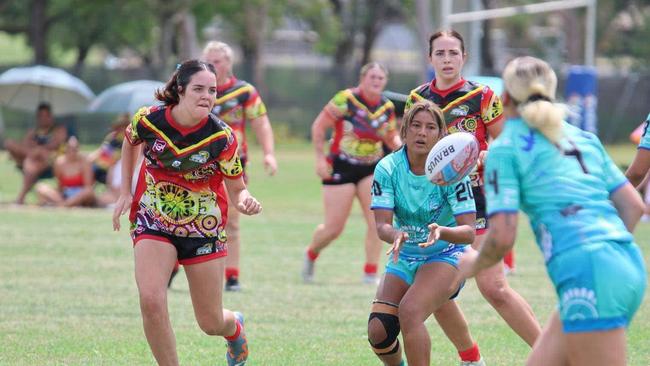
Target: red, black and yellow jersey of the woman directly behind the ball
<point x="467" y="106"/>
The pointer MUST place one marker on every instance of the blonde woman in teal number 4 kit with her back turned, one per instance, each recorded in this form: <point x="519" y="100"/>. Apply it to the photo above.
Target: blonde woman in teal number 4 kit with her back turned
<point x="582" y="211"/>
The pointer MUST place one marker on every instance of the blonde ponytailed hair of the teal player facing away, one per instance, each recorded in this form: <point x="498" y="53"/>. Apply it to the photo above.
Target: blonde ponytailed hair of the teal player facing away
<point x="531" y="83"/>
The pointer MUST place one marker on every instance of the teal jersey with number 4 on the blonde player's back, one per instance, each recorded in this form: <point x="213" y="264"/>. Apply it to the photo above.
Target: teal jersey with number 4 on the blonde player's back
<point x="564" y="190"/>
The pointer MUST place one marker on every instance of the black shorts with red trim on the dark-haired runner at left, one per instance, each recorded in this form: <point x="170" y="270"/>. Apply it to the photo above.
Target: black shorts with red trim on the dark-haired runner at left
<point x="189" y="250"/>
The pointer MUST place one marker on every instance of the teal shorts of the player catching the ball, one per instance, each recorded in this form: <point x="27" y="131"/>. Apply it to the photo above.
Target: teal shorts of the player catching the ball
<point x="406" y="267"/>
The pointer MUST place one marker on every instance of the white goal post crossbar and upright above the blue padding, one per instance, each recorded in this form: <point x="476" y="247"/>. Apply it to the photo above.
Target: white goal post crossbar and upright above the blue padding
<point x="448" y="17"/>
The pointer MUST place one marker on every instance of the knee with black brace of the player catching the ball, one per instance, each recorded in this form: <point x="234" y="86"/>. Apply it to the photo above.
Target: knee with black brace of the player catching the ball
<point x="383" y="328"/>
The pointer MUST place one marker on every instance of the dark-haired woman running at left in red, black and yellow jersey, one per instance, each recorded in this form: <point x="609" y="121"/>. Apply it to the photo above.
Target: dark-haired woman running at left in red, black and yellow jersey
<point x="179" y="209"/>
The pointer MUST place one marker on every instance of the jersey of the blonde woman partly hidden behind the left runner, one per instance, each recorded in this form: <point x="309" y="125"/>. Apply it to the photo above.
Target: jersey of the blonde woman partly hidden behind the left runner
<point x="238" y="102"/>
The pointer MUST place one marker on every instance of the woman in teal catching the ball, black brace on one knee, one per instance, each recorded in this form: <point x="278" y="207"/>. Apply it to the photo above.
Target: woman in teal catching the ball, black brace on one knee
<point x="429" y="227"/>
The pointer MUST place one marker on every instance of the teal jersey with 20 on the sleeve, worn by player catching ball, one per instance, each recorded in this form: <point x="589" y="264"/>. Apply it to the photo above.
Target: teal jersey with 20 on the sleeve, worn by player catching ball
<point x="416" y="202"/>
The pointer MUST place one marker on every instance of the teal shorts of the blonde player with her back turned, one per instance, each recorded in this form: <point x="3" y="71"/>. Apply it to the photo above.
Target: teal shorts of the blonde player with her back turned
<point x="600" y="286"/>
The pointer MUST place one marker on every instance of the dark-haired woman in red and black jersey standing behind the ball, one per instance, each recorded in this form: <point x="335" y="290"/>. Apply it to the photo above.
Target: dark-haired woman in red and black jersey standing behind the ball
<point x="474" y="108"/>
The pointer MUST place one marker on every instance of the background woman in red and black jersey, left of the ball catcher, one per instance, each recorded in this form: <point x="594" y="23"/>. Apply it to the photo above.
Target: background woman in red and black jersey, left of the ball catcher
<point x="362" y="119"/>
